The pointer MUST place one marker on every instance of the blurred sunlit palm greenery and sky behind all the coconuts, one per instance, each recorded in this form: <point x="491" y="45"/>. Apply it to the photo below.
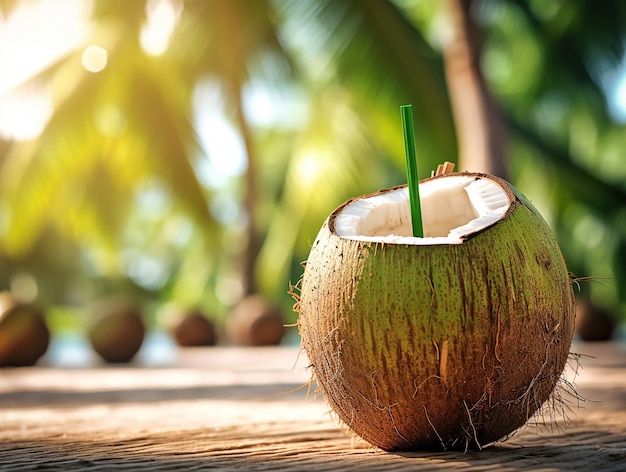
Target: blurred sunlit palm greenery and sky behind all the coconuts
<point x="182" y="154"/>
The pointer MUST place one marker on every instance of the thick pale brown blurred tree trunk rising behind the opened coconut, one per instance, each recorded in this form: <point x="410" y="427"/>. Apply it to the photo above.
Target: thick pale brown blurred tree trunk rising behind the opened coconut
<point x="480" y="128"/>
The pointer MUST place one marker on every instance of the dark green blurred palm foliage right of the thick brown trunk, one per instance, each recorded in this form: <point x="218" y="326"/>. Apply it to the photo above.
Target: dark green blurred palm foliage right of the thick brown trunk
<point x="563" y="139"/>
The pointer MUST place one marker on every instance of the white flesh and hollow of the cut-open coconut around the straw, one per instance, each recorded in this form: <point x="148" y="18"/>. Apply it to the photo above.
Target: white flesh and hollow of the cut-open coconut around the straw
<point x="453" y="208"/>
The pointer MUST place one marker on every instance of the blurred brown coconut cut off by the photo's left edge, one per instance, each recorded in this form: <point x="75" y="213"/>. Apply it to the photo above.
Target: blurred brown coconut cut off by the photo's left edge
<point x="24" y="334"/>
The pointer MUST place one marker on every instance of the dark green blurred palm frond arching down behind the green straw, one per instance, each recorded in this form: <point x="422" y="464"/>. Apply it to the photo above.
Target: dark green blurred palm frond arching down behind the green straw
<point x="371" y="49"/>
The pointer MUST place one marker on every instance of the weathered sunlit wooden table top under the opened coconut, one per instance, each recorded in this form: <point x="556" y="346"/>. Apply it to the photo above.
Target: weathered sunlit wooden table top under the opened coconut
<point x="226" y="408"/>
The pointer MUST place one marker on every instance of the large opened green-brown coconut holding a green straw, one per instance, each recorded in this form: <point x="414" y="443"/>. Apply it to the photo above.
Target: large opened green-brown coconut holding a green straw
<point x="449" y="341"/>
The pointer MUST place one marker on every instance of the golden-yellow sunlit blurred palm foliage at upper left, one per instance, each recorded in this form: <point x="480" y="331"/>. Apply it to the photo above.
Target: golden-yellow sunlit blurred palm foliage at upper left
<point x="111" y="134"/>
